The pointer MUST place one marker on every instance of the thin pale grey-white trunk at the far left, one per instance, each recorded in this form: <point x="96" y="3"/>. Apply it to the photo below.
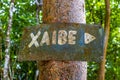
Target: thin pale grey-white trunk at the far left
<point x="7" y="51"/>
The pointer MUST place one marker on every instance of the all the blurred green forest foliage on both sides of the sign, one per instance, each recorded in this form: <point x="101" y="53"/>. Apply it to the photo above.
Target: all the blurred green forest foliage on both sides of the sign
<point x="25" y="15"/>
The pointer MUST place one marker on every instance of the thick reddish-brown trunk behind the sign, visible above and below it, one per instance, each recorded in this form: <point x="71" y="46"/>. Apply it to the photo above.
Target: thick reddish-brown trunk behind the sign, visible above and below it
<point x="63" y="11"/>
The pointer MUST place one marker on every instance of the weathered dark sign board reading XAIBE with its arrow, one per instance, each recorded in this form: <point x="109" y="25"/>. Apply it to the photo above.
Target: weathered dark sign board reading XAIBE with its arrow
<point x="62" y="41"/>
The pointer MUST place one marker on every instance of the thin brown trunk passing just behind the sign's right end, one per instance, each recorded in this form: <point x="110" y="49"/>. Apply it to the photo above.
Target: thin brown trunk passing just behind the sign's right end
<point x="107" y="29"/>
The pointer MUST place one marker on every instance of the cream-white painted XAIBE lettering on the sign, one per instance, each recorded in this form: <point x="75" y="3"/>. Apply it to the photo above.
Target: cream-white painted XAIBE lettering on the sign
<point x="63" y="37"/>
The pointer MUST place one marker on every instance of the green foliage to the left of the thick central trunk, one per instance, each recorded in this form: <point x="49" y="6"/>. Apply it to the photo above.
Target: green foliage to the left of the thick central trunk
<point x="24" y="15"/>
